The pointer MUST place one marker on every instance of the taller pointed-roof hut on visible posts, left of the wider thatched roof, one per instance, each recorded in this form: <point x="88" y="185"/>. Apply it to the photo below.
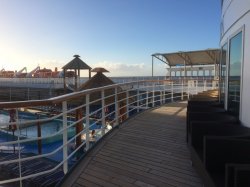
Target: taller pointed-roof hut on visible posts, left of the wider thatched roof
<point x="75" y="64"/>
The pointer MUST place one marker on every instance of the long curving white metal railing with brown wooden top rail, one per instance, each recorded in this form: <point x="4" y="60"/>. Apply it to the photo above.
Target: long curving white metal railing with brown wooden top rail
<point x="136" y="96"/>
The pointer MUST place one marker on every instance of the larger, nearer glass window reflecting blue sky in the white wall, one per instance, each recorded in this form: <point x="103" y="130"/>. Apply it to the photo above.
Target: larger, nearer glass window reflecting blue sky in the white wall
<point x="234" y="74"/>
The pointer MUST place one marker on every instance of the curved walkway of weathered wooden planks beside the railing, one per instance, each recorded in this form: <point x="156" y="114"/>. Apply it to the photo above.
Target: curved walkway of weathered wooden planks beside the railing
<point x="148" y="150"/>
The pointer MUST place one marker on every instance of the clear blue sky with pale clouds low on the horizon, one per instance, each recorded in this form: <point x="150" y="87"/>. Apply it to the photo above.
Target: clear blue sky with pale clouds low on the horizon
<point x="119" y="35"/>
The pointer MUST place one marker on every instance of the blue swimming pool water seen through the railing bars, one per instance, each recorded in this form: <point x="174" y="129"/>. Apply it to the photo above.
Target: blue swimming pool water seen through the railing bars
<point x="47" y="128"/>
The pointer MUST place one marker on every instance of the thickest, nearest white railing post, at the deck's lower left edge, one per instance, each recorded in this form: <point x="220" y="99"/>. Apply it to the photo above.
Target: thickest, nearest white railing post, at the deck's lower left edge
<point x="65" y="137"/>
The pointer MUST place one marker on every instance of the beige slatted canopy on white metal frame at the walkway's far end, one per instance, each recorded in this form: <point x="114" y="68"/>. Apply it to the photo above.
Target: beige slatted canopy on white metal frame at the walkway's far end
<point x="188" y="58"/>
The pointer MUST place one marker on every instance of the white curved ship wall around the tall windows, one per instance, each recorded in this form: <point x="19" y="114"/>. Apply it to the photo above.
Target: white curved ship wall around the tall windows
<point x="235" y="16"/>
